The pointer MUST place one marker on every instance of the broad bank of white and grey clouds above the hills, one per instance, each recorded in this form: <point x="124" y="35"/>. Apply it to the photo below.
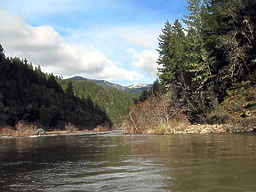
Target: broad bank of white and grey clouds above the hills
<point x="99" y="53"/>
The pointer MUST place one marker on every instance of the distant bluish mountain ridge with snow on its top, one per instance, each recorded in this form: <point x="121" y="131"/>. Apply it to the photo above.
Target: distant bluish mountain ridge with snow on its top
<point x="136" y="88"/>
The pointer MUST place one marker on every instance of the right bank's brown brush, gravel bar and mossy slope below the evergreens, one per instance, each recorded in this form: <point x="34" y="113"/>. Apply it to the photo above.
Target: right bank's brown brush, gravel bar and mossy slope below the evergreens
<point x="160" y="115"/>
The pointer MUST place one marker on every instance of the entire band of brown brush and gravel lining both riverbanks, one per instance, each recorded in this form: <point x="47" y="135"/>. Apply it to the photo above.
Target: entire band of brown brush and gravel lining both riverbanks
<point x="159" y="115"/>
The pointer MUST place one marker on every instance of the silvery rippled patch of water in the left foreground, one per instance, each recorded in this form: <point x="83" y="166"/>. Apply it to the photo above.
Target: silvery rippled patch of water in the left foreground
<point x="92" y="176"/>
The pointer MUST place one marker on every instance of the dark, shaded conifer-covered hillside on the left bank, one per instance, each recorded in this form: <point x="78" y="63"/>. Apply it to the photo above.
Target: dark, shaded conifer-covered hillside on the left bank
<point x="28" y="94"/>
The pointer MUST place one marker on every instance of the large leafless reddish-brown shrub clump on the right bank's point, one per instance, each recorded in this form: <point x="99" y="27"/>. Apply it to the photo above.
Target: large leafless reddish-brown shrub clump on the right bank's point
<point x="156" y="115"/>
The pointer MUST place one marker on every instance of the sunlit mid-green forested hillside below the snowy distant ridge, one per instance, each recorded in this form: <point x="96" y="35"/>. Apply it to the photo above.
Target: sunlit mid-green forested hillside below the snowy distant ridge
<point x="116" y="103"/>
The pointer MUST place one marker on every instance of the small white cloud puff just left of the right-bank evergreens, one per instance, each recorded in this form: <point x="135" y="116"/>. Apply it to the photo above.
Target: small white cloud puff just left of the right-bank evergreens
<point x="146" y="60"/>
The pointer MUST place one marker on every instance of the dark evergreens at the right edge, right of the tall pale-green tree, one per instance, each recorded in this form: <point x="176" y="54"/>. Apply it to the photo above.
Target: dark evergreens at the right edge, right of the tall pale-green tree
<point x="229" y="26"/>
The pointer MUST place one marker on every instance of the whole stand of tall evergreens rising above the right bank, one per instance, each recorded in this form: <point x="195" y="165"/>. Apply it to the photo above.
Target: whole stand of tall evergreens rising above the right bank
<point x="217" y="50"/>
